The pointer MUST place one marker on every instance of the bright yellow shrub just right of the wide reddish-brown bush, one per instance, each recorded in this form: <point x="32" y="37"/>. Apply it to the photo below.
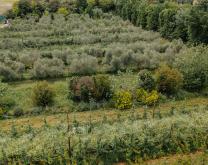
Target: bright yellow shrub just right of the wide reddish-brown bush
<point x="123" y="99"/>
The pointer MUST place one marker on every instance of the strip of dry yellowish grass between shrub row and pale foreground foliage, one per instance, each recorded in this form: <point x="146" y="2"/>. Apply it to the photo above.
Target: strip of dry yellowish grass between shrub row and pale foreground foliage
<point x="99" y="115"/>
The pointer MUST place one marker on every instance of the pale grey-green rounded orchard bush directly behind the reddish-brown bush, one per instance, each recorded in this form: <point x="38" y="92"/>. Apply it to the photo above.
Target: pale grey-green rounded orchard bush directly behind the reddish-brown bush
<point x="84" y="65"/>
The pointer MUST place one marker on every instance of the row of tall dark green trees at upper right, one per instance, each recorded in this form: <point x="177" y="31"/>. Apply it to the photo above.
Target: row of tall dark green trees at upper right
<point x="188" y="22"/>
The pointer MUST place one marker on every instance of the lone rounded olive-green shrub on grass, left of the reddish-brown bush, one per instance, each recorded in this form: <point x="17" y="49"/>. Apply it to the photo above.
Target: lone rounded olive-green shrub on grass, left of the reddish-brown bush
<point x="43" y="94"/>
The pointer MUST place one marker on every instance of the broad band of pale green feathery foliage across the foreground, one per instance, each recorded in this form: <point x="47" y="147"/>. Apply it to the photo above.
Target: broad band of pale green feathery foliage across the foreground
<point x="49" y="143"/>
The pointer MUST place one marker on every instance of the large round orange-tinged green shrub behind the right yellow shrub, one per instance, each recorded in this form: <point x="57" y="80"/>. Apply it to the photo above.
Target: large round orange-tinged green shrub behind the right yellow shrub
<point x="169" y="80"/>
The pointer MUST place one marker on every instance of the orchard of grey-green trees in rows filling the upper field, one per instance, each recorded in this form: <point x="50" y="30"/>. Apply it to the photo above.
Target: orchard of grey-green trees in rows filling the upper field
<point x="59" y="47"/>
